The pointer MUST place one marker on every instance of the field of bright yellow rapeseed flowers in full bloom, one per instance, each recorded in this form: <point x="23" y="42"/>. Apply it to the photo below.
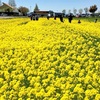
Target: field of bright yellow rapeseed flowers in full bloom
<point x="49" y="60"/>
